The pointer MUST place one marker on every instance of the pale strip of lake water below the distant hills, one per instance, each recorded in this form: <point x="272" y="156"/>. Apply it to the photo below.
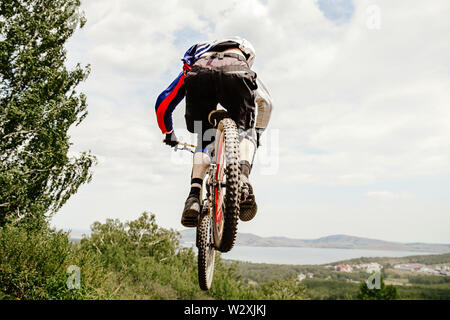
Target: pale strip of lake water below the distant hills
<point x="294" y="255"/>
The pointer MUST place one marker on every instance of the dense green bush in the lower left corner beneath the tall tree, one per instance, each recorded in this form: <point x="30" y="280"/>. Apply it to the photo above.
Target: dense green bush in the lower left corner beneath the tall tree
<point x="33" y="264"/>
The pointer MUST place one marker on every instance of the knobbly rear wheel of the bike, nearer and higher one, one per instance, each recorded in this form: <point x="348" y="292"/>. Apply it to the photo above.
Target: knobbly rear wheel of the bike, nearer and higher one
<point x="226" y="190"/>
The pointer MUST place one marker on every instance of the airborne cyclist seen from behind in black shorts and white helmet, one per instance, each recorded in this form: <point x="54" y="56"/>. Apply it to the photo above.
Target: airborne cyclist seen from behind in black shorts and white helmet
<point x="215" y="72"/>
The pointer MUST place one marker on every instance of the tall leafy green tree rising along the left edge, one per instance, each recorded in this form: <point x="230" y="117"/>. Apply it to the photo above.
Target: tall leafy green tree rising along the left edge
<point x="38" y="105"/>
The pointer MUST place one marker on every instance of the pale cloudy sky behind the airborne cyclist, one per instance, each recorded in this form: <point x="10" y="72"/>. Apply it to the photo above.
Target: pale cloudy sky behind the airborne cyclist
<point x="359" y="140"/>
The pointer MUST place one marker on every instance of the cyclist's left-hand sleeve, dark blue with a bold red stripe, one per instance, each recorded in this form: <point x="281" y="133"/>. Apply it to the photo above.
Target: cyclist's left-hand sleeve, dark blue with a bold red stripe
<point x="167" y="101"/>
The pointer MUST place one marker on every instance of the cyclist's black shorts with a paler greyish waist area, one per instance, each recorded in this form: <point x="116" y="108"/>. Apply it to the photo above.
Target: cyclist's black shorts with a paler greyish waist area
<point x="225" y="80"/>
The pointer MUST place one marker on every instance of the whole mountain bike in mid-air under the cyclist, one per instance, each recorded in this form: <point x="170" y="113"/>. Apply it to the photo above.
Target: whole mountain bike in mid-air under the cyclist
<point x="219" y="214"/>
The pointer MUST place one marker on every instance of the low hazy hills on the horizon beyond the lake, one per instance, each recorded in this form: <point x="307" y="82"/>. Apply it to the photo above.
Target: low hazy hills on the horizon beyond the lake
<point x="333" y="241"/>
